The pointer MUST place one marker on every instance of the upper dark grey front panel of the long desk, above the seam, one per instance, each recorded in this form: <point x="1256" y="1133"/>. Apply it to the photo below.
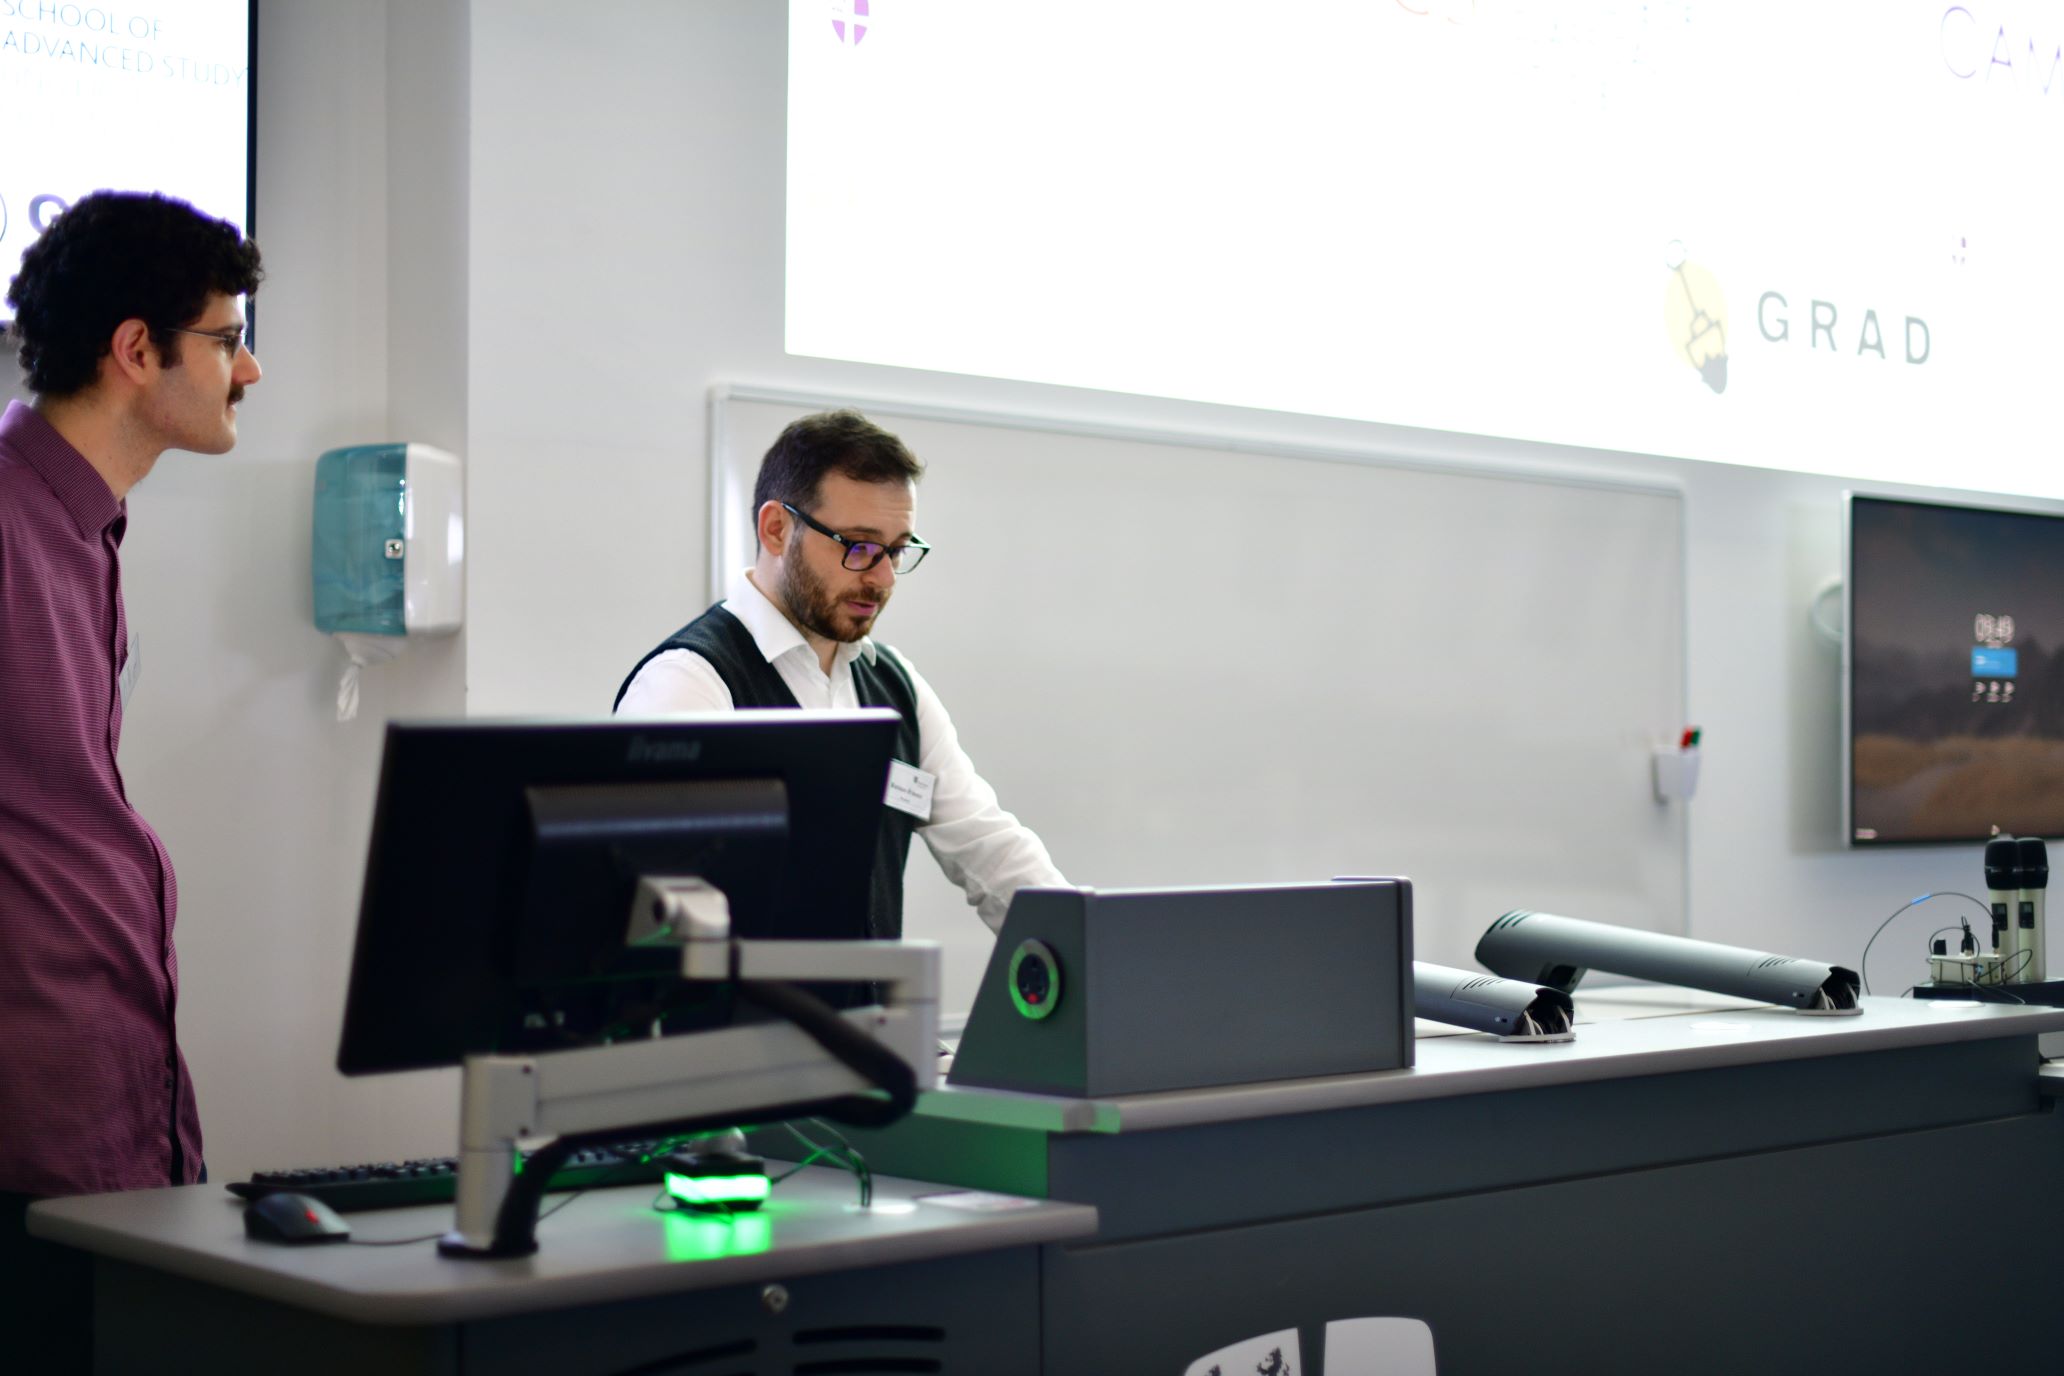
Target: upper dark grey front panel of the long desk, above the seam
<point x="1225" y="1175"/>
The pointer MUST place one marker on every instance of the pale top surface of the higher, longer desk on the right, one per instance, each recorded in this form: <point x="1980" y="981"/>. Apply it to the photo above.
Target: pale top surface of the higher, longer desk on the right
<point x="1621" y="1033"/>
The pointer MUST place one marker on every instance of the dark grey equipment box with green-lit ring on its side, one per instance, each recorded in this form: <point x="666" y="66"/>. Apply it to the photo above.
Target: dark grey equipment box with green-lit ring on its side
<point x="1134" y="991"/>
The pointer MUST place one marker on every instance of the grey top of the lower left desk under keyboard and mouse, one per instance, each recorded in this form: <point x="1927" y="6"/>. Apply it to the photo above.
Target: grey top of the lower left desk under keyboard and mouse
<point x="608" y="1245"/>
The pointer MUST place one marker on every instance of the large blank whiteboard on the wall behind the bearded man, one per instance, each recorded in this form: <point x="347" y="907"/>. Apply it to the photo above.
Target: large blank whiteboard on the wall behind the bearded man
<point x="1190" y="661"/>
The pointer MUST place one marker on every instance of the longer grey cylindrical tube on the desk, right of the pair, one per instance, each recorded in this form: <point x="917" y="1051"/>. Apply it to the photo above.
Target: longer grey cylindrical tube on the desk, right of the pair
<point x="1557" y="952"/>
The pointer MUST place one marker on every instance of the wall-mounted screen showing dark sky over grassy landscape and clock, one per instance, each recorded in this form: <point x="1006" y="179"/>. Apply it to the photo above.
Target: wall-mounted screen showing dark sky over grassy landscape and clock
<point x="1954" y="674"/>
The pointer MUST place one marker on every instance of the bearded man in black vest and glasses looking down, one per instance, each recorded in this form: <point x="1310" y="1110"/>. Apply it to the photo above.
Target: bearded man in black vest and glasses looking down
<point x="835" y="515"/>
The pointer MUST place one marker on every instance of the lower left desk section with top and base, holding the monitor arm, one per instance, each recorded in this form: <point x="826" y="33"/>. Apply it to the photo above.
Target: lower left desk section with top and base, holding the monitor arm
<point x="612" y="1288"/>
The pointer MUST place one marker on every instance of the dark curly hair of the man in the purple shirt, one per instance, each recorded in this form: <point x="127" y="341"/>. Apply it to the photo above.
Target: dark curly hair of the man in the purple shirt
<point x="121" y="257"/>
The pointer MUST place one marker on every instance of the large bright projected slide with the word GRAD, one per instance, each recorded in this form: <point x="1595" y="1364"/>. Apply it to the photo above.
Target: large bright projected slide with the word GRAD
<point x="1801" y="236"/>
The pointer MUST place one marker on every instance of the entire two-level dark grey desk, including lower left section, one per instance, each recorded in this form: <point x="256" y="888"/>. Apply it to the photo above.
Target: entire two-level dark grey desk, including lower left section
<point x="1718" y="1189"/>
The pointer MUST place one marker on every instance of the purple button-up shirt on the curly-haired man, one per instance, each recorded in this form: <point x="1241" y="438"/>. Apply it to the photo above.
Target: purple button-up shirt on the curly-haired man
<point x="94" y="1094"/>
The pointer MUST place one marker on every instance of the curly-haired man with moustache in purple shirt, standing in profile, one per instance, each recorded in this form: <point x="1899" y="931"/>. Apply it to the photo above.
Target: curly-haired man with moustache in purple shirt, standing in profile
<point x="131" y="329"/>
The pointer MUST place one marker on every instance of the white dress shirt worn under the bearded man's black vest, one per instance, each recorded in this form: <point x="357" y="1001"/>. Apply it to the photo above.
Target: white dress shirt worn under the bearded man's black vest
<point x="979" y="847"/>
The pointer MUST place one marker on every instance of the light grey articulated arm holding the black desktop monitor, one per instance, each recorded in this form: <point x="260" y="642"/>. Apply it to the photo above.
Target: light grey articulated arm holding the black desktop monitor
<point x="734" y="1074"/>
